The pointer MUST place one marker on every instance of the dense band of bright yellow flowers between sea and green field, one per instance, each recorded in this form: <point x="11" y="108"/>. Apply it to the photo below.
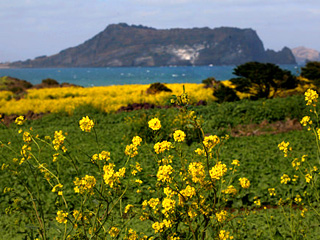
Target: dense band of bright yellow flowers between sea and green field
<point x="107" y="99"/>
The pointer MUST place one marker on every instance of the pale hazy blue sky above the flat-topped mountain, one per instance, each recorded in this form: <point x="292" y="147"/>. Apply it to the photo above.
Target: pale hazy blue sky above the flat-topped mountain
<point x="31" y="28"/>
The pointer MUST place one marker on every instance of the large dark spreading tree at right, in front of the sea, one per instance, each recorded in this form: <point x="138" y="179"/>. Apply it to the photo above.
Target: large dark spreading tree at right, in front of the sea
<point x="262" y="80"/>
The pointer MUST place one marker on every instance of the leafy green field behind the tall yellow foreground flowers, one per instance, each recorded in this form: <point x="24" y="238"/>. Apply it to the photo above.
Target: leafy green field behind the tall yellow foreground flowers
<point x="260" y="161"/>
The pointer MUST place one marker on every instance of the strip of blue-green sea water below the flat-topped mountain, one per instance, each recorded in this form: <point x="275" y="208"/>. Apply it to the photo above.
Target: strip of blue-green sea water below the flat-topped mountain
<point x="127" y="75"/>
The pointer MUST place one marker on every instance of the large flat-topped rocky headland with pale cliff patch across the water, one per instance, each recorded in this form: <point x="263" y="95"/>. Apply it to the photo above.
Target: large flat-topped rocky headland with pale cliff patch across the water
<point x="123" y="45"/>
